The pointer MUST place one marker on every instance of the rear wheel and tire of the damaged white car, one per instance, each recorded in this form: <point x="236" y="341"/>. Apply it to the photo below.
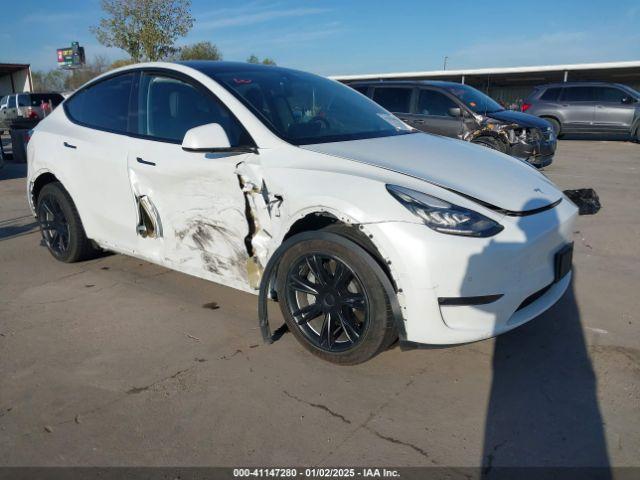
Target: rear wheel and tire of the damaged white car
<point x="60" y="225"/>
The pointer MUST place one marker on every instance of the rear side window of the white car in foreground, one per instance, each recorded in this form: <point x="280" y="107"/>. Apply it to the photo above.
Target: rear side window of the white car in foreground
<point x="104" y="105"/>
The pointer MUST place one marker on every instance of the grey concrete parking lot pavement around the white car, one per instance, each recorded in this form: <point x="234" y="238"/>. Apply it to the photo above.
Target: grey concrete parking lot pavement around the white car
<point x="119" y="362"/>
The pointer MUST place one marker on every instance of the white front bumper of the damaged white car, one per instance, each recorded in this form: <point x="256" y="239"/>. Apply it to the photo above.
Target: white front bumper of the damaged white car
<point x="518" y="263"/>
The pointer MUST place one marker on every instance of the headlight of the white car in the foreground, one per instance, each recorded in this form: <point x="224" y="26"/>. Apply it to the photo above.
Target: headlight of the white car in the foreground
<point x="443" y="216"/>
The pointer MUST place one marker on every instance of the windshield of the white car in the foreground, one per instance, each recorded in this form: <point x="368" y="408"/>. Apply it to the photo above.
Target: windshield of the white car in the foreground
<point x="304" y="109"/>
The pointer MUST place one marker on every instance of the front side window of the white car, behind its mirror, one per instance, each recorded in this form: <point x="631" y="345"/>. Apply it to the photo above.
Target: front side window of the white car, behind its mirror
<point x="169" y="107"/>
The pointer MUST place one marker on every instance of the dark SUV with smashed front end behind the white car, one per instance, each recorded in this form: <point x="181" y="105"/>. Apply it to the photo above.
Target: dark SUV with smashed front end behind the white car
<point x="460" y="111"/>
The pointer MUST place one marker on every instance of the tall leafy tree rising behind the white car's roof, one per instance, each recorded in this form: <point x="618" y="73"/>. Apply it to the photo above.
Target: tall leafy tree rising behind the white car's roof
<point x="145" y="29"/>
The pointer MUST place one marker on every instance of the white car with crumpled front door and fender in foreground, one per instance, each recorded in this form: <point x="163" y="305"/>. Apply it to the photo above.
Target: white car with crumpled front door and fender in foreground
<point x="300" y="189"/>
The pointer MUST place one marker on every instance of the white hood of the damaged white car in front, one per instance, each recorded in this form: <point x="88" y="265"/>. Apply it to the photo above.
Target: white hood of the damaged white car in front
<point x="470" y="170"/>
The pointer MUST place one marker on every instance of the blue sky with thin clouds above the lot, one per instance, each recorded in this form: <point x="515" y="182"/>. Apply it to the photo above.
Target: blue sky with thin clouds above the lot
<point x="333" y="37"/>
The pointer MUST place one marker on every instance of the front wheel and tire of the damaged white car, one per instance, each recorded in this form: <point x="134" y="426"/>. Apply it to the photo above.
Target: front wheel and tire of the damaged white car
<point x="345" y="325"/>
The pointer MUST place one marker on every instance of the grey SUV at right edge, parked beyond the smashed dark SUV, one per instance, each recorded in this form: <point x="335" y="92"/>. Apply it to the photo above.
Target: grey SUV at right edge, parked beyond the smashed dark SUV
<point x="587" y="107"/>
